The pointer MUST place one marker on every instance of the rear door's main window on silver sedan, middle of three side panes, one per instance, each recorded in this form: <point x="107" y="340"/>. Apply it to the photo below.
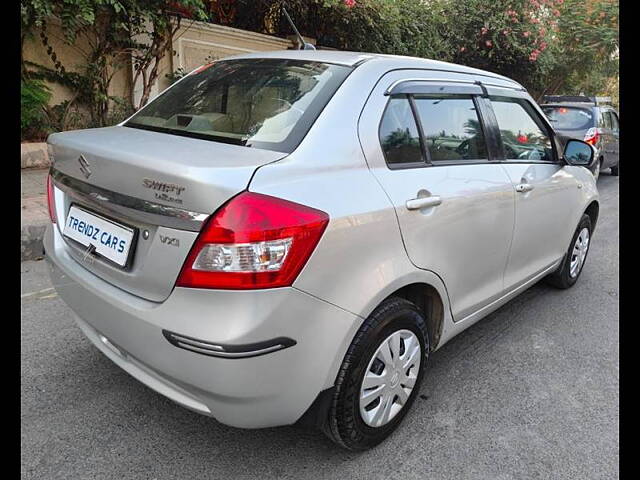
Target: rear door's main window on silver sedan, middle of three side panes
<point x="451" y="128"/>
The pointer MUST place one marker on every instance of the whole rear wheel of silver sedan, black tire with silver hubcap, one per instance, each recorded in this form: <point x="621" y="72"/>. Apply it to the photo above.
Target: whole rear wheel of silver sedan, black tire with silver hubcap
<point x="346" y="425"/>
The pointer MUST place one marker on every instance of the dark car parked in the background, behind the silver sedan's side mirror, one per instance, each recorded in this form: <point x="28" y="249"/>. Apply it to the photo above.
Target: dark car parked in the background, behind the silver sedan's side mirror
<point x="590" y="119"/>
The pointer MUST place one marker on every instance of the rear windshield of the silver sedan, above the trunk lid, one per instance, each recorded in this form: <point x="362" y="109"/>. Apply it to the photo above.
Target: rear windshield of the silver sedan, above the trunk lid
<point x="261" y="103"/>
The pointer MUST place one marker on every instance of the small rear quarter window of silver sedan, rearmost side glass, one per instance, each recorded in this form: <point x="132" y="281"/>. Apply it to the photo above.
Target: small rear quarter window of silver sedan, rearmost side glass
<point x="399" y="136"/>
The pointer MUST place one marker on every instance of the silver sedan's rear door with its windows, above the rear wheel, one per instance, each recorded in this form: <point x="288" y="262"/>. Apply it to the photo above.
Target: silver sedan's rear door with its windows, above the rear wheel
<point x="426" y="143"/>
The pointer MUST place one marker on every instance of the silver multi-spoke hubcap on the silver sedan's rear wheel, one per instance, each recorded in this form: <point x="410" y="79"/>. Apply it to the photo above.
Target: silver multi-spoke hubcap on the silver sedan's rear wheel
<point x="390" y="377"/>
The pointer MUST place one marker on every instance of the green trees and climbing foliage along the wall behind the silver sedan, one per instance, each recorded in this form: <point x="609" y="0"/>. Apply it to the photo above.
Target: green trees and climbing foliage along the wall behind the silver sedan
<point x="550" y="46"/>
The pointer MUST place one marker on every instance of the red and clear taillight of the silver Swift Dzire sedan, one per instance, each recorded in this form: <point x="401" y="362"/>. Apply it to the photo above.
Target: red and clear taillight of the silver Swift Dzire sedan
<point x="253" y="241"/>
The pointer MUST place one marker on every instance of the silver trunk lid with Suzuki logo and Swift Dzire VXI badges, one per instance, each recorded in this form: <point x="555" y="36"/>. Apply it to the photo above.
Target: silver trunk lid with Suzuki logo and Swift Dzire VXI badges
<point x="160" y="186"/>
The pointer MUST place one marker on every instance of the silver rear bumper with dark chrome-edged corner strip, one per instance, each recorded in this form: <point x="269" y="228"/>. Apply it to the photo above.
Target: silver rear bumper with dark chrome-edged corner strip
<point x="271" y="389"/>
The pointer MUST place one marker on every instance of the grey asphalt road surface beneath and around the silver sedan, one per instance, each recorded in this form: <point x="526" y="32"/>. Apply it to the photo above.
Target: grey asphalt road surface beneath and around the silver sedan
<point x="529" y="392"/>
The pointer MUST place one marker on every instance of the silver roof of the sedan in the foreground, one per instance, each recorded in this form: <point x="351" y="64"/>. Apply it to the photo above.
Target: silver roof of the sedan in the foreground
<point x="352" y="59"/>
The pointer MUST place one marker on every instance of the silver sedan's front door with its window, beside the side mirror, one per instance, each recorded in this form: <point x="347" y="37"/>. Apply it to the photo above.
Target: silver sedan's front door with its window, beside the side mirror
<point x="546" y="189"/>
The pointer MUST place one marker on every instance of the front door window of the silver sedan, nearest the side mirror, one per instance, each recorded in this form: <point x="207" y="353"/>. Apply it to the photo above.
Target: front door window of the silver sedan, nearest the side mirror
<point x="523" y="136"/>
